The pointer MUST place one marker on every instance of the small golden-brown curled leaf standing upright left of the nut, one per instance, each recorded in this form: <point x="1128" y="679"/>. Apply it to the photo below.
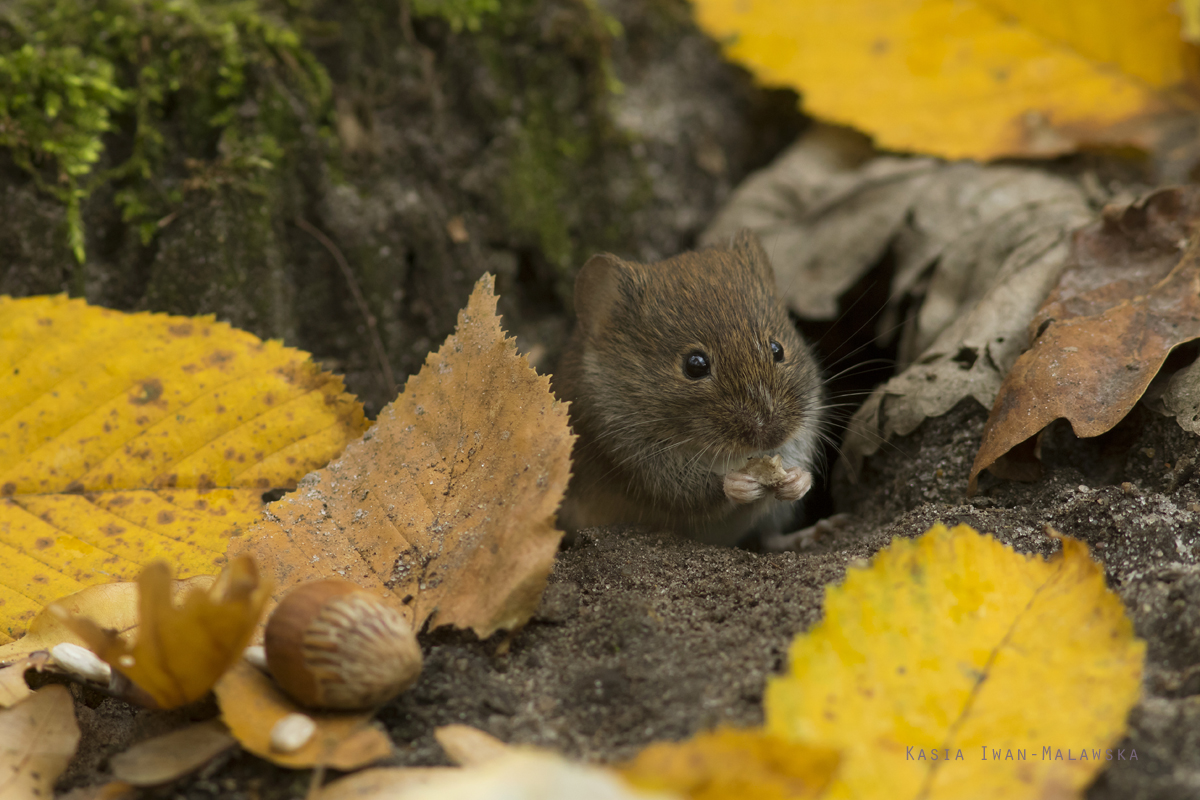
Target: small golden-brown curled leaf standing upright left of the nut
<point x="181" y="652"/>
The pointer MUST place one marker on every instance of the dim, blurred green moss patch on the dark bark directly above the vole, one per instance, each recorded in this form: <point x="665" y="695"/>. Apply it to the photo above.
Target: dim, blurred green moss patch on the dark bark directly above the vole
<point x="559" y="189"/>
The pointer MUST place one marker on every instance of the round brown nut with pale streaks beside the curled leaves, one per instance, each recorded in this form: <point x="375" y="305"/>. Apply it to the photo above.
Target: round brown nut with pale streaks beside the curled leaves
<point x="333" y="645"/>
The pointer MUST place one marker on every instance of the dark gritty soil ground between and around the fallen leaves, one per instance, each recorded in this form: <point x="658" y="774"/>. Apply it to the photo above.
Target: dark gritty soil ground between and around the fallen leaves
<point x="644" y="637"/>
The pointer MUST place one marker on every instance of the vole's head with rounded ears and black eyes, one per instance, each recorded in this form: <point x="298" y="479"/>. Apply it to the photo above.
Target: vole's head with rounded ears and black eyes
<point x="695" y="354"/>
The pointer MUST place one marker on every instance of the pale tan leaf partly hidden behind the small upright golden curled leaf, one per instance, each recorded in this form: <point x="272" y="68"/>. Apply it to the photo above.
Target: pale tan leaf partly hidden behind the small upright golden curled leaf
<point x="112" y="606"/>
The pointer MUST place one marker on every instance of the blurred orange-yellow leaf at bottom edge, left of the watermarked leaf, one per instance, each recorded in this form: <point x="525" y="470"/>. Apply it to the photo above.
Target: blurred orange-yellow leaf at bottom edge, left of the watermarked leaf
<point x="728" y="763"/>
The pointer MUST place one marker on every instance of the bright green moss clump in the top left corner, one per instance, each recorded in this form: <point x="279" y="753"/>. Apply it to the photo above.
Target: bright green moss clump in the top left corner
<point x="136" y="92"/>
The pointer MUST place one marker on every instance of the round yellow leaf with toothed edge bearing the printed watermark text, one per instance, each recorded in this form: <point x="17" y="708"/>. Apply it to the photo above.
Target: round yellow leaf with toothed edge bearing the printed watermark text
<point x="952" y="645"/>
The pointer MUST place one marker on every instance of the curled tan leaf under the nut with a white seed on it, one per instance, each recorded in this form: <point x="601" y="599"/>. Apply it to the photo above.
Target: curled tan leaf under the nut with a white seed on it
<point x="253" y="706"/>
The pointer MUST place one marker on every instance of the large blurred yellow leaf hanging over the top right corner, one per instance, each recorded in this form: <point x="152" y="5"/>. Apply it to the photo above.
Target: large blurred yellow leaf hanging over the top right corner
<point x="970" y="79"/>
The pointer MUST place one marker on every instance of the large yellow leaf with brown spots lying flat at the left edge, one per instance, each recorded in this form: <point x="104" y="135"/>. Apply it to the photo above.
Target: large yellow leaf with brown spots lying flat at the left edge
<point x="128" y="438"/>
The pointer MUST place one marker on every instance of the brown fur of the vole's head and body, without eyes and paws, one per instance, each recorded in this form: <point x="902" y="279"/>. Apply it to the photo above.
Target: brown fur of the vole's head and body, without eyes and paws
<point x="655" y="446"/>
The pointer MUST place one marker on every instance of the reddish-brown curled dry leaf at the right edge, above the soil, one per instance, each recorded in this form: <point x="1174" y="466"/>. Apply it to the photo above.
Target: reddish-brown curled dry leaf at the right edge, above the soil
<point x="1130" y="296"/>
